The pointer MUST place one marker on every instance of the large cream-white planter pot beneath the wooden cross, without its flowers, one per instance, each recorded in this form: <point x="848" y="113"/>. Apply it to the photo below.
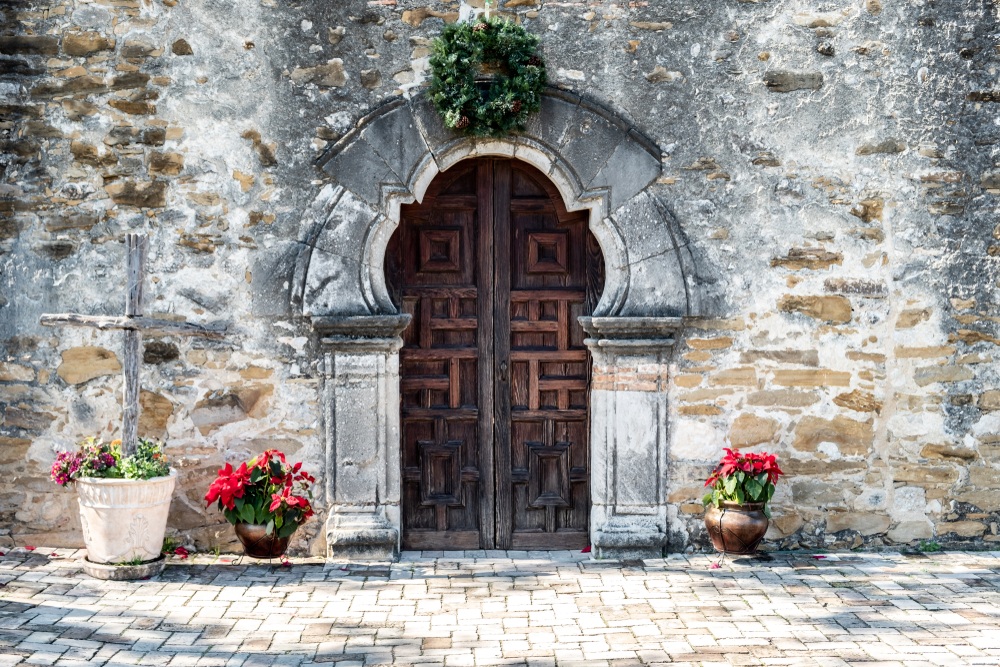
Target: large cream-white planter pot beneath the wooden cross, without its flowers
<point x="124" y="518"/>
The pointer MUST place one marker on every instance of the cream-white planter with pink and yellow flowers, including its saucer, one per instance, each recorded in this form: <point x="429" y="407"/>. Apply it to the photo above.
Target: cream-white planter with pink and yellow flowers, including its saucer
<point x="124" y="502"/>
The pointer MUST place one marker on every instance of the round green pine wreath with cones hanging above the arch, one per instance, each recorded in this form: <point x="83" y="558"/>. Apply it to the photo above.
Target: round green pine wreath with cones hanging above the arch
<point x="495" y="107"/>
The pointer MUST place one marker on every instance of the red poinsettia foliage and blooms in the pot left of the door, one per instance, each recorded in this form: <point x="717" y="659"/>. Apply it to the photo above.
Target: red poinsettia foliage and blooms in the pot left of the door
<point x="267" y="492"/>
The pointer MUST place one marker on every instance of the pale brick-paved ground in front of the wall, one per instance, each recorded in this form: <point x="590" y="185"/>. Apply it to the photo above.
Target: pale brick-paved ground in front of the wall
<point x="507" y="608"/>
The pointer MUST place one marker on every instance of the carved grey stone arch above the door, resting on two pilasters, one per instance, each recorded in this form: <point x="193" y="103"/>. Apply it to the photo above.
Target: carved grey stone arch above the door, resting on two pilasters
<point x="598" y="162"/>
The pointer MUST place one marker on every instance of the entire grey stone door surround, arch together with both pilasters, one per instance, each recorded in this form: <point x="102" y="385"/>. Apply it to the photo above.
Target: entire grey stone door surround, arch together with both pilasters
<point x="599" y="163"/>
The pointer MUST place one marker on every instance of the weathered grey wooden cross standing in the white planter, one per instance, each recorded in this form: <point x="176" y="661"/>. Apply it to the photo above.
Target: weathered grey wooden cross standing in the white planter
<point x="133" y="323"/>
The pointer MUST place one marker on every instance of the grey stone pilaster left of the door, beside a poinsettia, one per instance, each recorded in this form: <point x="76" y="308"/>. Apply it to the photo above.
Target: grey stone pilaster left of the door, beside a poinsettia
<point x="361" y="408"/>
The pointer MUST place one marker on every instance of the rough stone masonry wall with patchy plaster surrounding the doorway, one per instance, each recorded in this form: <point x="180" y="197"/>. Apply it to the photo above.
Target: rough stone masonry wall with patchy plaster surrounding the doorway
<point x="833" y="166"/>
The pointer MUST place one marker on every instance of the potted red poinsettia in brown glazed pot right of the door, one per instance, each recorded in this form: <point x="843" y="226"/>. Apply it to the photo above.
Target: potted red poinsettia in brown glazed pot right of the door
<point x="737" y="513"/>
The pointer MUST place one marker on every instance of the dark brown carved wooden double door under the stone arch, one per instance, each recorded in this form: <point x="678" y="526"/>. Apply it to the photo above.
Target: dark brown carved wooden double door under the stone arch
<point x="494" y="382"/>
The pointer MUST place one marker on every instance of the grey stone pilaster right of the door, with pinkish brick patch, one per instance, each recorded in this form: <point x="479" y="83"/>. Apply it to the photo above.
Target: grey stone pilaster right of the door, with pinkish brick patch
<point x="628" y="433"/>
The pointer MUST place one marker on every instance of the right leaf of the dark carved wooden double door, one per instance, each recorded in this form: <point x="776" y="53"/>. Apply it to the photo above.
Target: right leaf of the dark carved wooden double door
<point x="551" y="276"/>
